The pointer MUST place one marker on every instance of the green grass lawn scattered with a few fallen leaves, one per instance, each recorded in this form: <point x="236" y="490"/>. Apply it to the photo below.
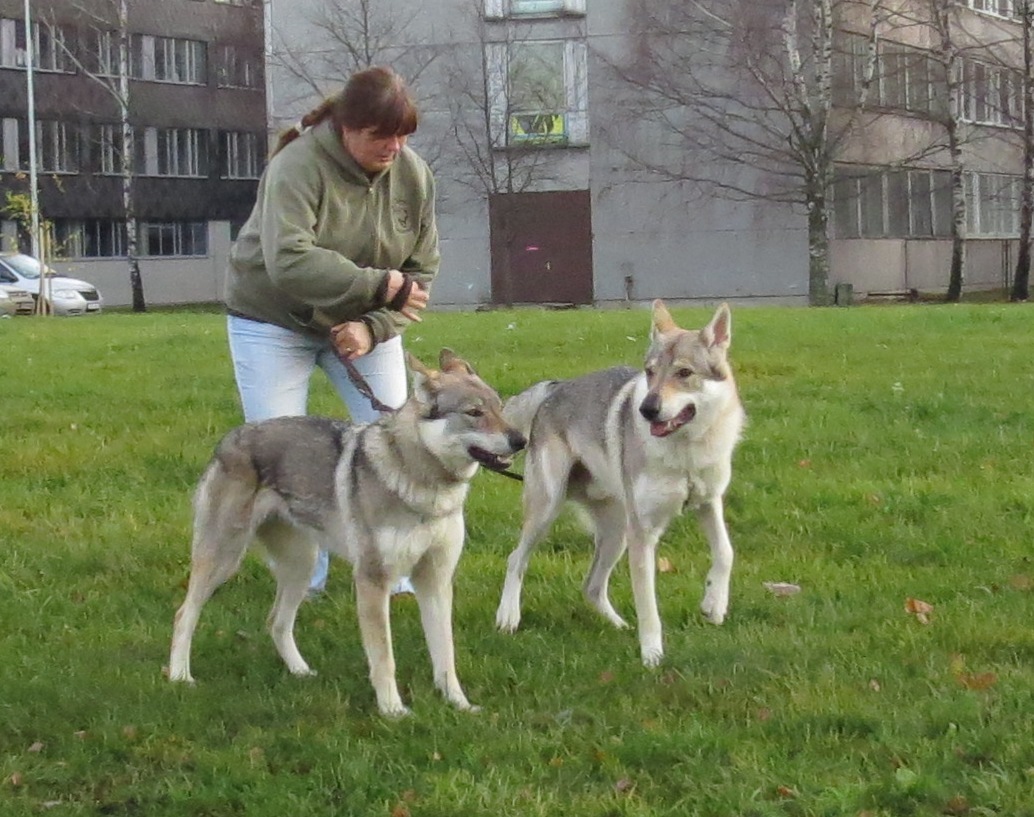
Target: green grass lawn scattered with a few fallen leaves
<point x="888" y="457"/>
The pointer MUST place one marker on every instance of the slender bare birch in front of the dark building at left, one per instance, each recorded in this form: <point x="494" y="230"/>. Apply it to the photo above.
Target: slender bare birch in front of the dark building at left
<point x="109" y="29"/>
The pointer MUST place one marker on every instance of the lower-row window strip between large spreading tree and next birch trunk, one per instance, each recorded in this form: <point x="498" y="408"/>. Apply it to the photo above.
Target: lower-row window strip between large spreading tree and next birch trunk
<point x="886" y="203"/>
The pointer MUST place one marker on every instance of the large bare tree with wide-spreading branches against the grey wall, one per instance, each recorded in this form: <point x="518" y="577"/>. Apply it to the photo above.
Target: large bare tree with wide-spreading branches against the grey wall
<point x="751" y="97"/>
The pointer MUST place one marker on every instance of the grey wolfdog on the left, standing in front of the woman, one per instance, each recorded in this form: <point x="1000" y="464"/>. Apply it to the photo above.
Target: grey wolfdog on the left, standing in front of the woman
<point x="387" y="497"/>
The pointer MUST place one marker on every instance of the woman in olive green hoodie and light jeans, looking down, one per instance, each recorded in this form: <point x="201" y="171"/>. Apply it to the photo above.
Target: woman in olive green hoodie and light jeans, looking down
<point x="337" y="258"/>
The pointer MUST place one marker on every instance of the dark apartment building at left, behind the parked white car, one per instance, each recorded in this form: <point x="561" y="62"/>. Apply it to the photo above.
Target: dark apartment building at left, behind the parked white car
<point x="193" y="99"/>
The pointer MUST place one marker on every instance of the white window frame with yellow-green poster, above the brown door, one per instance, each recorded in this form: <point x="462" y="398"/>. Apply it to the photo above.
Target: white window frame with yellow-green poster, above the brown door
<point x="575" y="112"/>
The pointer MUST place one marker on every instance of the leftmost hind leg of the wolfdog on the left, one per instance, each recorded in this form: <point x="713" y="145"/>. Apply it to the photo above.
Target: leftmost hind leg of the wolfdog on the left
<point x="223" y="533"/>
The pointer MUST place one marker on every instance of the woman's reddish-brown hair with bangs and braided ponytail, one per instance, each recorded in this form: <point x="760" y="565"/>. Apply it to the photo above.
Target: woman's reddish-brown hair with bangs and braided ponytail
<point x="376" y="98"/>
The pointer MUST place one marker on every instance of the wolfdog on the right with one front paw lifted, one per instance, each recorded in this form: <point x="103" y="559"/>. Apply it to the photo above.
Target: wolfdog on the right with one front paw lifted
<point x="631" y="448"/>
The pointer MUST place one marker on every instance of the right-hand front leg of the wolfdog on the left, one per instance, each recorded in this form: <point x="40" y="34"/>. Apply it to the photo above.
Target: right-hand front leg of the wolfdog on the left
<point x="433" y="583"/>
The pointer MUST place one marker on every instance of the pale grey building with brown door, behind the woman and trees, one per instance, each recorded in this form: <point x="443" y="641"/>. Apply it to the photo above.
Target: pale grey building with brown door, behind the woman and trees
<point x="532" y="133"/>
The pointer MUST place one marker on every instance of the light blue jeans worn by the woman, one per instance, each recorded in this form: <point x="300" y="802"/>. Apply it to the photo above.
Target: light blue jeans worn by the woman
<point x="273" y="368"/>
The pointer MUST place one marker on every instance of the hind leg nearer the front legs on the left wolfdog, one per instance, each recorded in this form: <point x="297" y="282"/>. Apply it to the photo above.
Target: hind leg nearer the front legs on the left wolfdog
<point x="293" y="556"/>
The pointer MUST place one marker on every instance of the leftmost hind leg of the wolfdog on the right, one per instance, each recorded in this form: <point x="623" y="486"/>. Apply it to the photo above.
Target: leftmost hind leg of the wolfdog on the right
<point x="545" y="491"/>
